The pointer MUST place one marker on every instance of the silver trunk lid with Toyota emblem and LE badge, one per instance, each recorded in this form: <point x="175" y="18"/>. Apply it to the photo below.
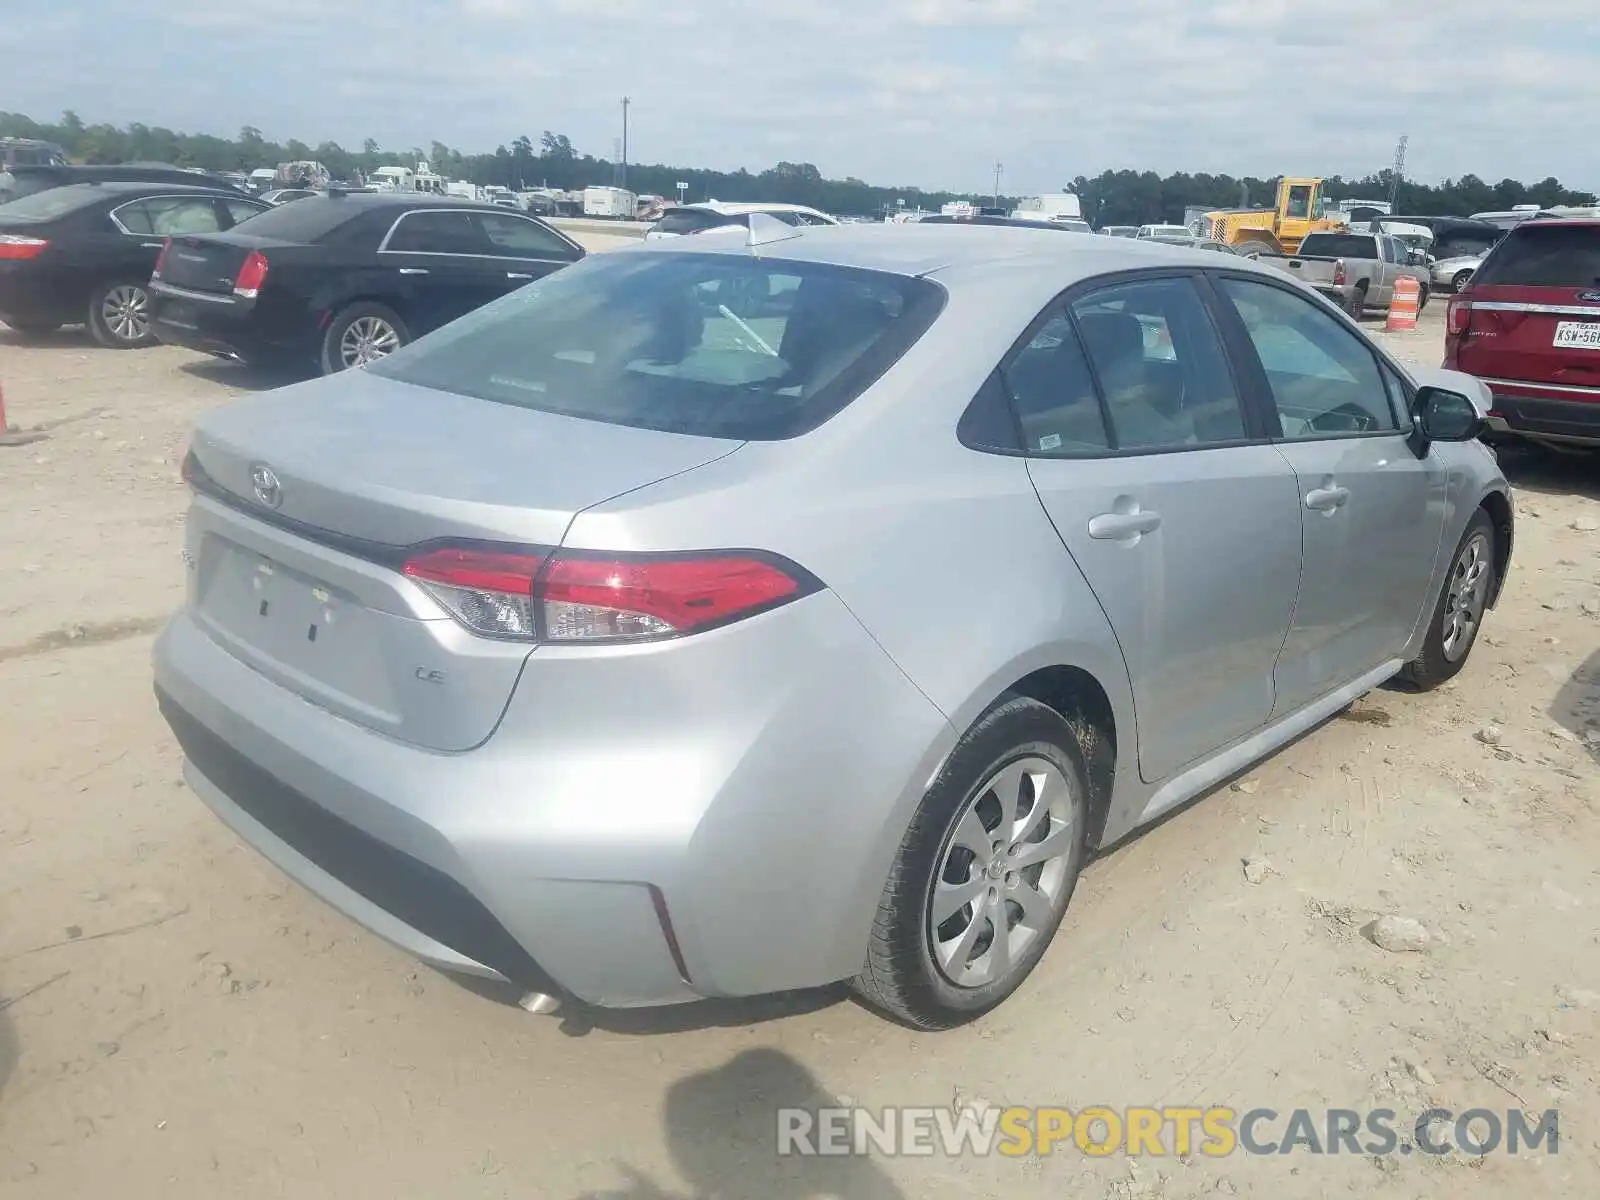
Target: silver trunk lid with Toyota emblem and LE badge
<point x="310" y="593"/>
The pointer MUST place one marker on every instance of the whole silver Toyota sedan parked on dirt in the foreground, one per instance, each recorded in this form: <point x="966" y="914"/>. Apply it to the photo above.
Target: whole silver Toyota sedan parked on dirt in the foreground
<point x="726" y="617"/>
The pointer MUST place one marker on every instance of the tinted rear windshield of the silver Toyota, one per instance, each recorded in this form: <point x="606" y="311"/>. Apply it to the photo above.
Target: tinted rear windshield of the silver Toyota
<point x="710" y="345"/>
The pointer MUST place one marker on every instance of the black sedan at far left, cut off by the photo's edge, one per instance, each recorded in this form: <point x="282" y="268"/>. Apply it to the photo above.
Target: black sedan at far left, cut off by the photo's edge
<point x="84" y="254"/>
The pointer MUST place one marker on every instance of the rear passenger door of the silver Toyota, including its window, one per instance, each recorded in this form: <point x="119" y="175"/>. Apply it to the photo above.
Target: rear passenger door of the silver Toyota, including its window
<point x="1178" y="513"/>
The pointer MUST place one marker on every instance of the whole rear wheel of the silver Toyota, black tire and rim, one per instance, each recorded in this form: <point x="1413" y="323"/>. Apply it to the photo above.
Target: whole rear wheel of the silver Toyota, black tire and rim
<point x="985" y="873"/>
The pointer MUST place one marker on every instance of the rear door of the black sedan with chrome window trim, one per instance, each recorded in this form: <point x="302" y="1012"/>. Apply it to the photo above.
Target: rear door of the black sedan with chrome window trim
<point x="442" y="265"/>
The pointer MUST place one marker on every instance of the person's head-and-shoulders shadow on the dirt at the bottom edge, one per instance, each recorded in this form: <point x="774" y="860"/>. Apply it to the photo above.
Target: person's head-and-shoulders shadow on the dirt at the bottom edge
<point x="722" y="1134"/>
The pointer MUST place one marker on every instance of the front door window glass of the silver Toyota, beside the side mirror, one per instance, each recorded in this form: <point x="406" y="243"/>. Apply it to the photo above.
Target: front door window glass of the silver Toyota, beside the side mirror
<point x="1324" y="380"/>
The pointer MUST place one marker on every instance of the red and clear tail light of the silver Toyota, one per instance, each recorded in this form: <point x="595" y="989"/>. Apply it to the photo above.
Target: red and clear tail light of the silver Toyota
<point x="567" y="596"/>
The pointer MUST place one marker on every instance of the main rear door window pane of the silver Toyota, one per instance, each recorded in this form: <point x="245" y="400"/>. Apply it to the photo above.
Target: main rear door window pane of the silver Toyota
<point x="1161" y="367"/>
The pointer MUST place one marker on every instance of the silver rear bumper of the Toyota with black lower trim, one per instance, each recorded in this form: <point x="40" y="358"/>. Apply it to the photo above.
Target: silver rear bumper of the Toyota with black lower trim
<point x="655" y="825"/>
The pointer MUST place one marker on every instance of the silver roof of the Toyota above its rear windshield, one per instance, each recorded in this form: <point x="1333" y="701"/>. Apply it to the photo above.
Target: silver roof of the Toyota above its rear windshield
<point x="926" y="249"/>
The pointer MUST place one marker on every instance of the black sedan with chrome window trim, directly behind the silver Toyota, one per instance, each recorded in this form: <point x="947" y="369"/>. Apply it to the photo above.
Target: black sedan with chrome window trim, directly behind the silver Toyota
<point x="343" y="279"/>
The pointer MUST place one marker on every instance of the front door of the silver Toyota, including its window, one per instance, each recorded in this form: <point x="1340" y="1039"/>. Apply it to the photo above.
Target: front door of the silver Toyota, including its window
<point x="1372" y="511"/>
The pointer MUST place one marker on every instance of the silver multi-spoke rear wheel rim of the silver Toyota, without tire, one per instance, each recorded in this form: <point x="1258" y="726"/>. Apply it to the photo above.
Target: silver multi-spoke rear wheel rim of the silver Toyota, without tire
<point x="1002" y="874"/>
